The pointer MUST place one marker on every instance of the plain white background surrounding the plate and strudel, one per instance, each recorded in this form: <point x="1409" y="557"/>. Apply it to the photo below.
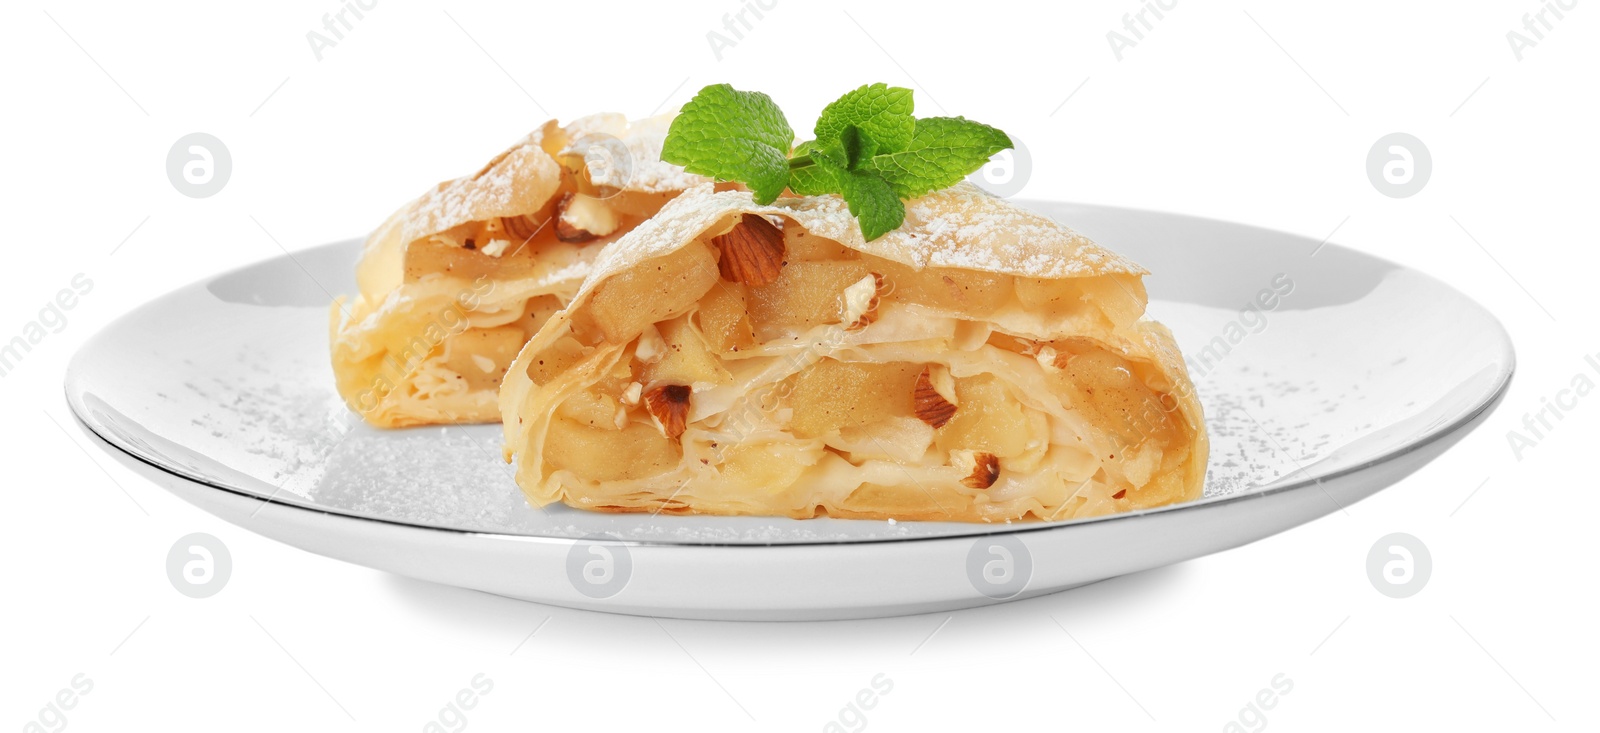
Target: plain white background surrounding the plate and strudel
<point x="1258" y="113"/>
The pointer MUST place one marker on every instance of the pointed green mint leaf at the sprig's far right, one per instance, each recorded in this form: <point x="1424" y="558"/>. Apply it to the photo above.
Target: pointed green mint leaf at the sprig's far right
<point x="942" y="153"/>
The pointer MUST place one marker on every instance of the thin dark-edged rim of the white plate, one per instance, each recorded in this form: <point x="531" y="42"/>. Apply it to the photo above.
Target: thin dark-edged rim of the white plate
<point x="1482" y="404"/>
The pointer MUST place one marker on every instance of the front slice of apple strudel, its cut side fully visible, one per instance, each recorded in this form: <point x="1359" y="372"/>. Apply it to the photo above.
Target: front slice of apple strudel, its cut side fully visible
<point x="978" y="364"/>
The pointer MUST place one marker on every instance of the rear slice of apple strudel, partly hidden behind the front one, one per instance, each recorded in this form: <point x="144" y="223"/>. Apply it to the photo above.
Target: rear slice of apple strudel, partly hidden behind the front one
<point x="455" y="284"/>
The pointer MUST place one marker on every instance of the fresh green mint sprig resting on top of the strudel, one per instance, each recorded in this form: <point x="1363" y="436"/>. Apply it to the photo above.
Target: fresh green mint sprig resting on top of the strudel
<point x="868" y="148"/>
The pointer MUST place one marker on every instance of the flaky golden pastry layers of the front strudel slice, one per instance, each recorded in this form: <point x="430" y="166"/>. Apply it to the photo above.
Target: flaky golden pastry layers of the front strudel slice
<point x="954" y="230"/>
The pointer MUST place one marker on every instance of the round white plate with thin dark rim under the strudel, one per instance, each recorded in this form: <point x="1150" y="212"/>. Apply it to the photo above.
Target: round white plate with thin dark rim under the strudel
<point x="1358" y="377"/>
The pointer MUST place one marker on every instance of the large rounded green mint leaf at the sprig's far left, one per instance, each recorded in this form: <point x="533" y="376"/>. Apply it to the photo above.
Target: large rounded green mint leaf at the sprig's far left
<point x="734" y="137"/>
